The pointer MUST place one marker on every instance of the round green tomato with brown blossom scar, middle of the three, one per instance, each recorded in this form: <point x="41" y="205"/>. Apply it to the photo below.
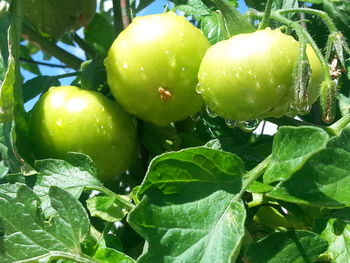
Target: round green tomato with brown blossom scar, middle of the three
<point x="152" y="68"/>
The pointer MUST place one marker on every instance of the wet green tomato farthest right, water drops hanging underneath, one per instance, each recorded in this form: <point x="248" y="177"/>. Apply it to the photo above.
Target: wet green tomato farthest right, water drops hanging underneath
<point x="251" y="75"/>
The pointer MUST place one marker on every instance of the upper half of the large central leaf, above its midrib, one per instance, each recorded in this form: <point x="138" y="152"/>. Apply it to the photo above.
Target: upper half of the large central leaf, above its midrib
<point x="171" y="171"/>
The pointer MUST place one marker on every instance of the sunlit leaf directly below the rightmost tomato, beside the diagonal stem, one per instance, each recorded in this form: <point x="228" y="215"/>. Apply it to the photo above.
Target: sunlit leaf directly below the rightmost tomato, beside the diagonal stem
<point x="287" y="154"/>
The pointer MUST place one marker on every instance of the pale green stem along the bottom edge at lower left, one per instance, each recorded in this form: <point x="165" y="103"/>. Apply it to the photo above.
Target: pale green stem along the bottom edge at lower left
<point x="52" y="255"/>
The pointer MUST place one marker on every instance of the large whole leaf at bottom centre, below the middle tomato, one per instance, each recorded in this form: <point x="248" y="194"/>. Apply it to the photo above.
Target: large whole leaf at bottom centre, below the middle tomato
<point x="198" y="207"/>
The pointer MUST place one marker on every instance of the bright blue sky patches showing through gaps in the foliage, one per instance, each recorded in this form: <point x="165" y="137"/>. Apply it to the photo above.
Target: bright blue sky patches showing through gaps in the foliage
<point x="154" y="8"/>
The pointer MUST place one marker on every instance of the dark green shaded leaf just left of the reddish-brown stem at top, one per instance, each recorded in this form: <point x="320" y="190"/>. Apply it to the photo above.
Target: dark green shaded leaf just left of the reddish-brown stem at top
<point x="100" y="40"/>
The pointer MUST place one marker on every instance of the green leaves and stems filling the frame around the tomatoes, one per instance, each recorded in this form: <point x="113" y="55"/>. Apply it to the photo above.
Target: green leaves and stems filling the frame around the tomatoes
<point x="199" y="190"/>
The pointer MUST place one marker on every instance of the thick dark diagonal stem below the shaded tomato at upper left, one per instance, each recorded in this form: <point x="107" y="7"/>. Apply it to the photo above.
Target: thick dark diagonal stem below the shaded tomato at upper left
<point x="66" y="57"/>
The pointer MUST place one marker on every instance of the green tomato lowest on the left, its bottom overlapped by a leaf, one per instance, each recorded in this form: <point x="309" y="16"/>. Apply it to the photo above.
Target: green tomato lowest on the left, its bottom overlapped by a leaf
<point x="68" y="119"/>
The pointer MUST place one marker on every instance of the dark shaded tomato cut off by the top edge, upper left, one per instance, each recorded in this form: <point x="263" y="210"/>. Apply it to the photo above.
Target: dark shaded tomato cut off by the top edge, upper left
<point x="56" y="17"/>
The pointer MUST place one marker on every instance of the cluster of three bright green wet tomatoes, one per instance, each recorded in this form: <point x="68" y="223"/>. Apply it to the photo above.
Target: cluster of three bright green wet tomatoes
<point x="152" y="70"/>
